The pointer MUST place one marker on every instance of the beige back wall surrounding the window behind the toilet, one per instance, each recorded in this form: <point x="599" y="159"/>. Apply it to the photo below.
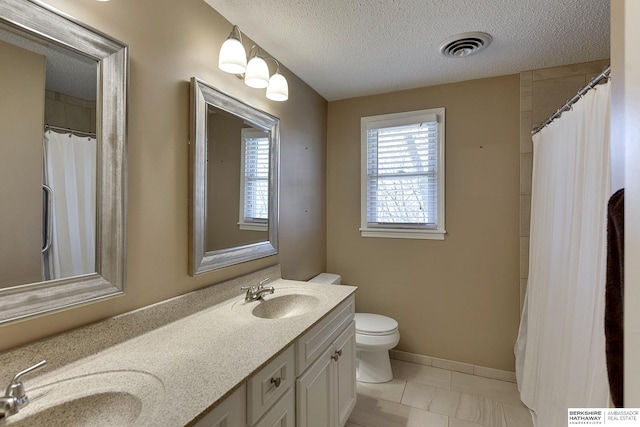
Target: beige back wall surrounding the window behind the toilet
<point x="455" y="299"/>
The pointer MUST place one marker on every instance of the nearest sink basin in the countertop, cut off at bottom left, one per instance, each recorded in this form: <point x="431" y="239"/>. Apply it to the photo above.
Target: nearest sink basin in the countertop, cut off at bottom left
<point x="115" y="398"/>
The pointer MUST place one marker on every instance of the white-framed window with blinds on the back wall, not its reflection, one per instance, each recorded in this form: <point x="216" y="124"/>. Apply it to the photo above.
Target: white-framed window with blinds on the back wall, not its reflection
<point x="403" y="175"/>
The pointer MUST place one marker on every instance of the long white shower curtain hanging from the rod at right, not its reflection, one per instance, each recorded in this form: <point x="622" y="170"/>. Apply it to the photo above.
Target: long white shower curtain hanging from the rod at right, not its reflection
<point x="560" y="352"/>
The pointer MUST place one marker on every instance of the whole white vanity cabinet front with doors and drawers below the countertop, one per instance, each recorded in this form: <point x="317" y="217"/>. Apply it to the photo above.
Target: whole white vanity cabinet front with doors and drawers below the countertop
<point x="312" y="383"/>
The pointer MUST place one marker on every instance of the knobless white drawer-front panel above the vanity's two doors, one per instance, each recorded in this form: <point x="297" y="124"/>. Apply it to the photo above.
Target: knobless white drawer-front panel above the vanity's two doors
<point x="315" y="341"/>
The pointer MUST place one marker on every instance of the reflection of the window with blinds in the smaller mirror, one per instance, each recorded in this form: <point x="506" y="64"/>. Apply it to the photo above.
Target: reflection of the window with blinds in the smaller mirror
<point x="254" y="197"/>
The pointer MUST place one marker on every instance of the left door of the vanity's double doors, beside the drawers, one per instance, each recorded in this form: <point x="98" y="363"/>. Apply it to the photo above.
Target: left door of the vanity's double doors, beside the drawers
<point x="314" y="393"/>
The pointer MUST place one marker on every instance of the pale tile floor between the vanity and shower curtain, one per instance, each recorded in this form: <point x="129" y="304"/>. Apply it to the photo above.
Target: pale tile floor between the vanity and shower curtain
<point x="424" y="396"/>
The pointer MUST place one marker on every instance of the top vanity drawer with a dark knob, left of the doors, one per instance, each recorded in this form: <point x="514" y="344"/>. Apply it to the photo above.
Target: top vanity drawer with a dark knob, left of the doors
<point x="271" y="382"/>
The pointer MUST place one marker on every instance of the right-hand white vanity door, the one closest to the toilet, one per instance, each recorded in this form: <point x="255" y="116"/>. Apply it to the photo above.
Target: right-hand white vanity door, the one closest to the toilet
<point x="345" y="348"/>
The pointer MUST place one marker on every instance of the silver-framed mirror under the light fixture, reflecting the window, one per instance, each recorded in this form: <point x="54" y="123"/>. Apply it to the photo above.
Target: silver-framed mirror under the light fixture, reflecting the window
<point x="234" y="180"/>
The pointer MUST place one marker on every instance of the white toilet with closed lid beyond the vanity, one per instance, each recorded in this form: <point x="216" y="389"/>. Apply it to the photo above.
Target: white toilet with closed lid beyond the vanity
<point x="375" y="336"/>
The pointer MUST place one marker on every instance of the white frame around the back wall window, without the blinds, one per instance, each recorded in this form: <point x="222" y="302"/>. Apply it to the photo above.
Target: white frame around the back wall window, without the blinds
<point x="404" y="230"/>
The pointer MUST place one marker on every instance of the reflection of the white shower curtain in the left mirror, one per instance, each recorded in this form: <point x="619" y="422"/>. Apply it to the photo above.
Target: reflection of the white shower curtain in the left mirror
<point x="70" y="170"/>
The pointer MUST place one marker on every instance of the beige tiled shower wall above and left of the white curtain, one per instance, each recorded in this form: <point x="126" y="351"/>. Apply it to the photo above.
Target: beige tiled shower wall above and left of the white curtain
<point x="542" y="92"/>
